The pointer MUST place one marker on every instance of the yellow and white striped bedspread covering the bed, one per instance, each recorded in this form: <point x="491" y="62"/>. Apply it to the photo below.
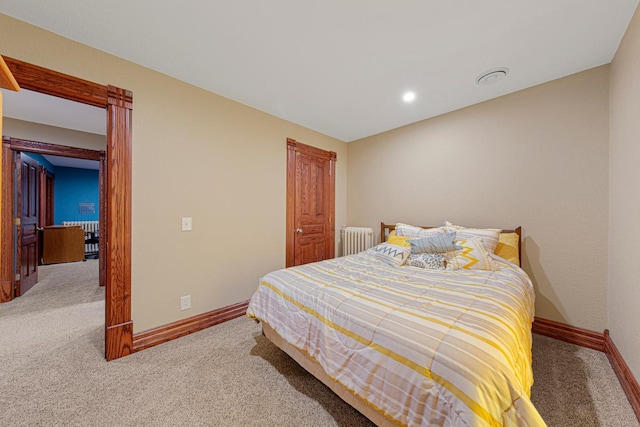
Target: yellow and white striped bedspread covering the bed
<point x="422" y="347"/>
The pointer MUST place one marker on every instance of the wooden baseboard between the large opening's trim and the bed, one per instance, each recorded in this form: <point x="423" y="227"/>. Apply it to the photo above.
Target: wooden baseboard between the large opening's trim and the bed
<point x="187" y="326"/>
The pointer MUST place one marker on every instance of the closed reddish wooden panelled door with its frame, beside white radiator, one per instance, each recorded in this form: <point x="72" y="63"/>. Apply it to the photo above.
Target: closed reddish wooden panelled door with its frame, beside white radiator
<point x="310" y="204"/>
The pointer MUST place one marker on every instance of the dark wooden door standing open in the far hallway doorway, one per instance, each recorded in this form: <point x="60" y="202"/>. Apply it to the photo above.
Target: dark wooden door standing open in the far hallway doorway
<point x="29" y="209"/>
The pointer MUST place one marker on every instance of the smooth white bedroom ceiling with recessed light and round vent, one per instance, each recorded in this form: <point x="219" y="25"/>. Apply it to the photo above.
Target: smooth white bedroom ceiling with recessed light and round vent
<point x="341" y="67"/>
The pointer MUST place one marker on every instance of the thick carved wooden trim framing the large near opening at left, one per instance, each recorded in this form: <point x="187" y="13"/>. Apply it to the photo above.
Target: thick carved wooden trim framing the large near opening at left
<point x="118" y="104"/>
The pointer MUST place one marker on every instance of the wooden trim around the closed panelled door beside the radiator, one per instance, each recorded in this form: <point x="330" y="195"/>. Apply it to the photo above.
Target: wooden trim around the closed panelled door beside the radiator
<point x="294" y="146"/>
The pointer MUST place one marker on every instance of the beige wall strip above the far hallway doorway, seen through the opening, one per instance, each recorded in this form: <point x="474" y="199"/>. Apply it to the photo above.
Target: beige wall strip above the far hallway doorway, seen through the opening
<point x="53" y="135"/>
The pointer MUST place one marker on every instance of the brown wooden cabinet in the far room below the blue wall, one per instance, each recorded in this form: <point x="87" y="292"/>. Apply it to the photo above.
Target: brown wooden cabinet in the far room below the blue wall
<point x="62" y="244"/>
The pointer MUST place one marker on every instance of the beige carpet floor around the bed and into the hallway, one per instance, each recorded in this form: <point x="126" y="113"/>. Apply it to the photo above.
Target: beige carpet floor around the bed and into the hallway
<point x="53" y="373"/>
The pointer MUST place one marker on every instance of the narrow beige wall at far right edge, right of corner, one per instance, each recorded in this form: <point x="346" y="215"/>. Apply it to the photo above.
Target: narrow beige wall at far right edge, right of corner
<point x="624" y="202"/>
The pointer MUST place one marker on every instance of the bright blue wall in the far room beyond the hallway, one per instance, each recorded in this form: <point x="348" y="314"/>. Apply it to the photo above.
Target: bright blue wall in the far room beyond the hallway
<point x="71" y="187"/>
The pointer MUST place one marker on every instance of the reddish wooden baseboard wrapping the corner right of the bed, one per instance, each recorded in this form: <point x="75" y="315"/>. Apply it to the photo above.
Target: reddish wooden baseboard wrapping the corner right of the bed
<point x="596" y="341"/>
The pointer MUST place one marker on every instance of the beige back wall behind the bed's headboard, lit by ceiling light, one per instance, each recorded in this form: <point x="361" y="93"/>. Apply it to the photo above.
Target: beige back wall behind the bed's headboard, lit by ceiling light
<point x="536" y="158"/>
